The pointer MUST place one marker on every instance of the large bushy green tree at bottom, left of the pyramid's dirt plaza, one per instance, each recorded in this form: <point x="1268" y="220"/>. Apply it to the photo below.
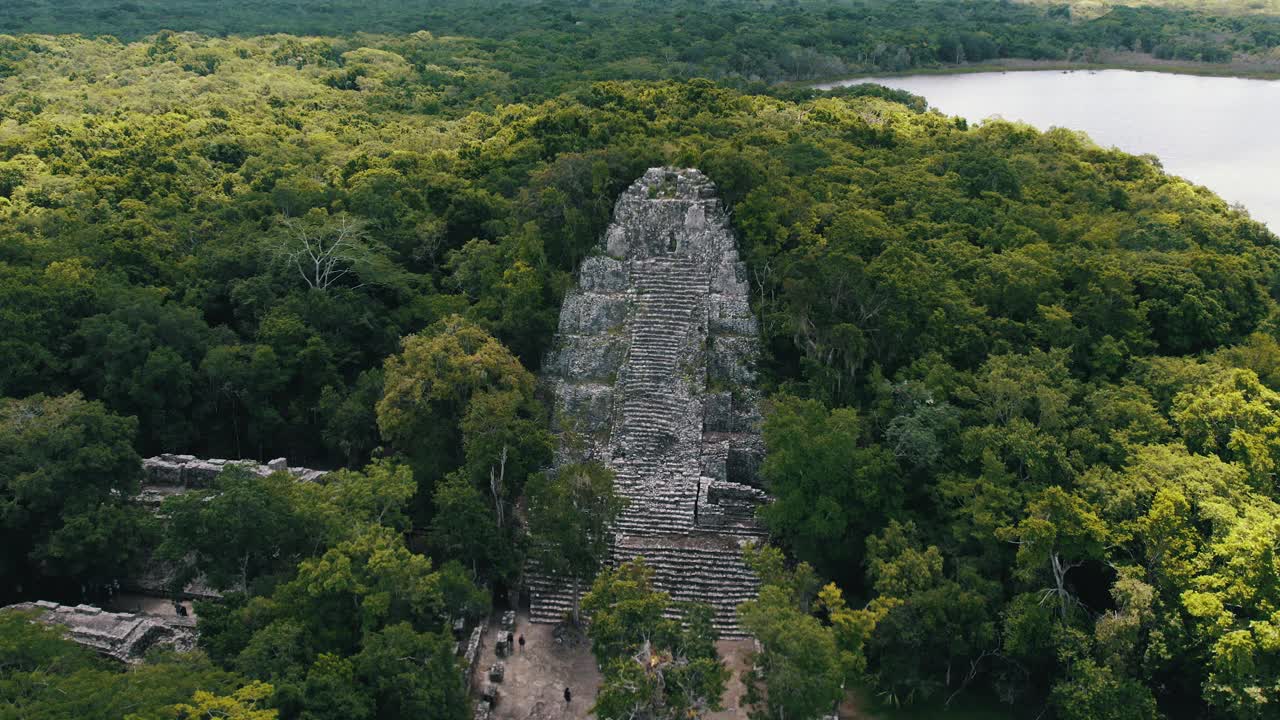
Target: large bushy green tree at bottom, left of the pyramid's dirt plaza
<point x="360" y="630"/>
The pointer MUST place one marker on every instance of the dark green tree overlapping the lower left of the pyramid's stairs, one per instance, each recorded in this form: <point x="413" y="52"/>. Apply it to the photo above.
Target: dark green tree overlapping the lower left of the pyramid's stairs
<point x="570" y="514"/>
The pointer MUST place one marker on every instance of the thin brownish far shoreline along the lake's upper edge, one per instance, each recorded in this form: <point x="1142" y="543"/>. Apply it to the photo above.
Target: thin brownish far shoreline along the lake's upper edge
<point x="1018" y="66"/>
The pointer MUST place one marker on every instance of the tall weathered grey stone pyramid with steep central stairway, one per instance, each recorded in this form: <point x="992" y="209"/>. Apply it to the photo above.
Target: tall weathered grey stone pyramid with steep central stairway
<point x="653" y="368"/>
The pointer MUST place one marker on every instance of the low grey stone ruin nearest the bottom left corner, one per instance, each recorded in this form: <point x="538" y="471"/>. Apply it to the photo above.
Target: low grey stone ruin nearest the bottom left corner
<point x="122" y="636"/>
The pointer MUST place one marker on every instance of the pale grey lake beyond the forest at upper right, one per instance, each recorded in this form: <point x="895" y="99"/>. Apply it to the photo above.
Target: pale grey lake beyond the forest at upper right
<point x="1219" y="133"/>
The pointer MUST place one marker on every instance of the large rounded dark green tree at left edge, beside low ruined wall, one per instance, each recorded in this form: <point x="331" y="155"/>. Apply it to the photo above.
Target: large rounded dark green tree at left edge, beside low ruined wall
<point x="67" y="470"/>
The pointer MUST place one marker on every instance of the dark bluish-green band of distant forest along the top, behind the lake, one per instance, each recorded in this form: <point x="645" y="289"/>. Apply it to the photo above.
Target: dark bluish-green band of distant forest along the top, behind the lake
<point x="546" y="45"/>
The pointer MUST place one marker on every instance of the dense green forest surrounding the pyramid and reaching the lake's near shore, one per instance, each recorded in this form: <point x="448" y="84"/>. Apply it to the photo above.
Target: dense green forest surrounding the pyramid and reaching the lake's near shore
<point x="1025" y="391"/>
